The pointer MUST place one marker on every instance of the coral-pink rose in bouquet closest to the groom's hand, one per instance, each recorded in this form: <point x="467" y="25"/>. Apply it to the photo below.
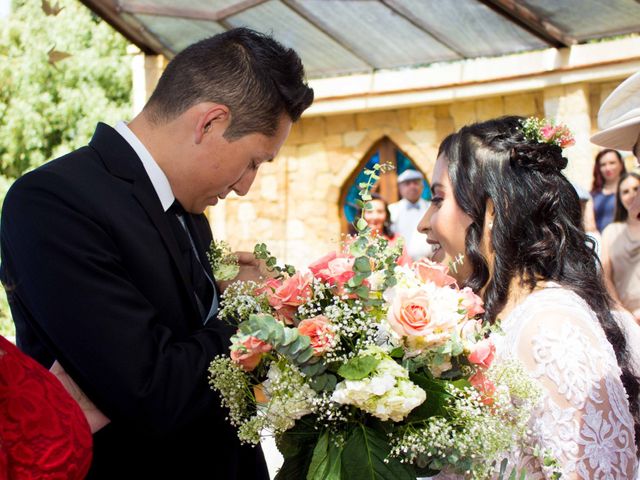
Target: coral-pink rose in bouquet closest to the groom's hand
<point x="285" y="296"/>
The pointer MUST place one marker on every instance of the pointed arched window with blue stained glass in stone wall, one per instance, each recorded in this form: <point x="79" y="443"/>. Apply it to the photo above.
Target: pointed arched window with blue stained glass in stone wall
<point x="383" y="152"/>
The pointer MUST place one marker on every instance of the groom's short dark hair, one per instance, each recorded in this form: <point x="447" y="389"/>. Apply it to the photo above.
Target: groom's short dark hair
<point x="249" y="72"/>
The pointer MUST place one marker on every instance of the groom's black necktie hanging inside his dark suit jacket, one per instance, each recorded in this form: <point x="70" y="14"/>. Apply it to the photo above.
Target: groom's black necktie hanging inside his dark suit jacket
<point x="181" y="223"/>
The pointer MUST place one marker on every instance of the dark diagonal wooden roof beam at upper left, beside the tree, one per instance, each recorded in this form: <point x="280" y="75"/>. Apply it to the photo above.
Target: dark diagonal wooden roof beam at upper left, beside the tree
<point x="129" y="28"/>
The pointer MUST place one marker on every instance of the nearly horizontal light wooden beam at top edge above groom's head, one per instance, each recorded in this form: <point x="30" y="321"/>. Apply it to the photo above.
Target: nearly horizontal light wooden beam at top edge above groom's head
<point x="188" y="13"/>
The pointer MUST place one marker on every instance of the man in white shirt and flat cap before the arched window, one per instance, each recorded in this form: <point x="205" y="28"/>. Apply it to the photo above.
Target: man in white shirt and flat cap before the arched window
<point x="407" y="213"/>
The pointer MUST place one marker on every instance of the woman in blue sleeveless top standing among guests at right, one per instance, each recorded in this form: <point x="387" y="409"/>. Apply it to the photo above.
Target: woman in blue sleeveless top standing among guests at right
<point x="607" y="169"/>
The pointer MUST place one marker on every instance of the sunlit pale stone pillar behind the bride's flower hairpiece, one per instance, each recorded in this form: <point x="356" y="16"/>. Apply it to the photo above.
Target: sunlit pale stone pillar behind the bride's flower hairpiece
<point x="570" y="105"/>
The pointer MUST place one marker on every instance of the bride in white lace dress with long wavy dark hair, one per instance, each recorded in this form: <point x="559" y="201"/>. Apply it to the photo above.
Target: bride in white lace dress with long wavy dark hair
<point x="500" y="199"/>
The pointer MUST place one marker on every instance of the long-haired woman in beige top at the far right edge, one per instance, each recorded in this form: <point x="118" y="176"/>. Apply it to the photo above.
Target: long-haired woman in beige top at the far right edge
<point x="621" y="247"/>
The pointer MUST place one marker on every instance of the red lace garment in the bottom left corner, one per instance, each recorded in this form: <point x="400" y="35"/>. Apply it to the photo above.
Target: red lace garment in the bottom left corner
<point x="43" y="432"/>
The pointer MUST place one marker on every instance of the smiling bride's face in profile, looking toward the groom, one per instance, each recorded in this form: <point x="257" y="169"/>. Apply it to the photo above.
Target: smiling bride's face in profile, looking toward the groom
<point x="444" y="223"/>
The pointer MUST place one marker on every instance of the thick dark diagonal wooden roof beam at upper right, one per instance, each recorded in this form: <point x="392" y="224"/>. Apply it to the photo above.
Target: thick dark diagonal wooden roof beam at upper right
<point x="531" y="22"/>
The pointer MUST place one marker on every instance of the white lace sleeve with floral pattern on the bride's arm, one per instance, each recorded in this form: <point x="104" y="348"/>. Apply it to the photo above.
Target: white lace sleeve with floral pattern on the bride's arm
<point x="584" y="418"/>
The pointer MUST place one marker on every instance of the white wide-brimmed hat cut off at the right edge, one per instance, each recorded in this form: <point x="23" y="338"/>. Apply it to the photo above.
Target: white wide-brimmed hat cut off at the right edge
<point x="619" y="116"/>
